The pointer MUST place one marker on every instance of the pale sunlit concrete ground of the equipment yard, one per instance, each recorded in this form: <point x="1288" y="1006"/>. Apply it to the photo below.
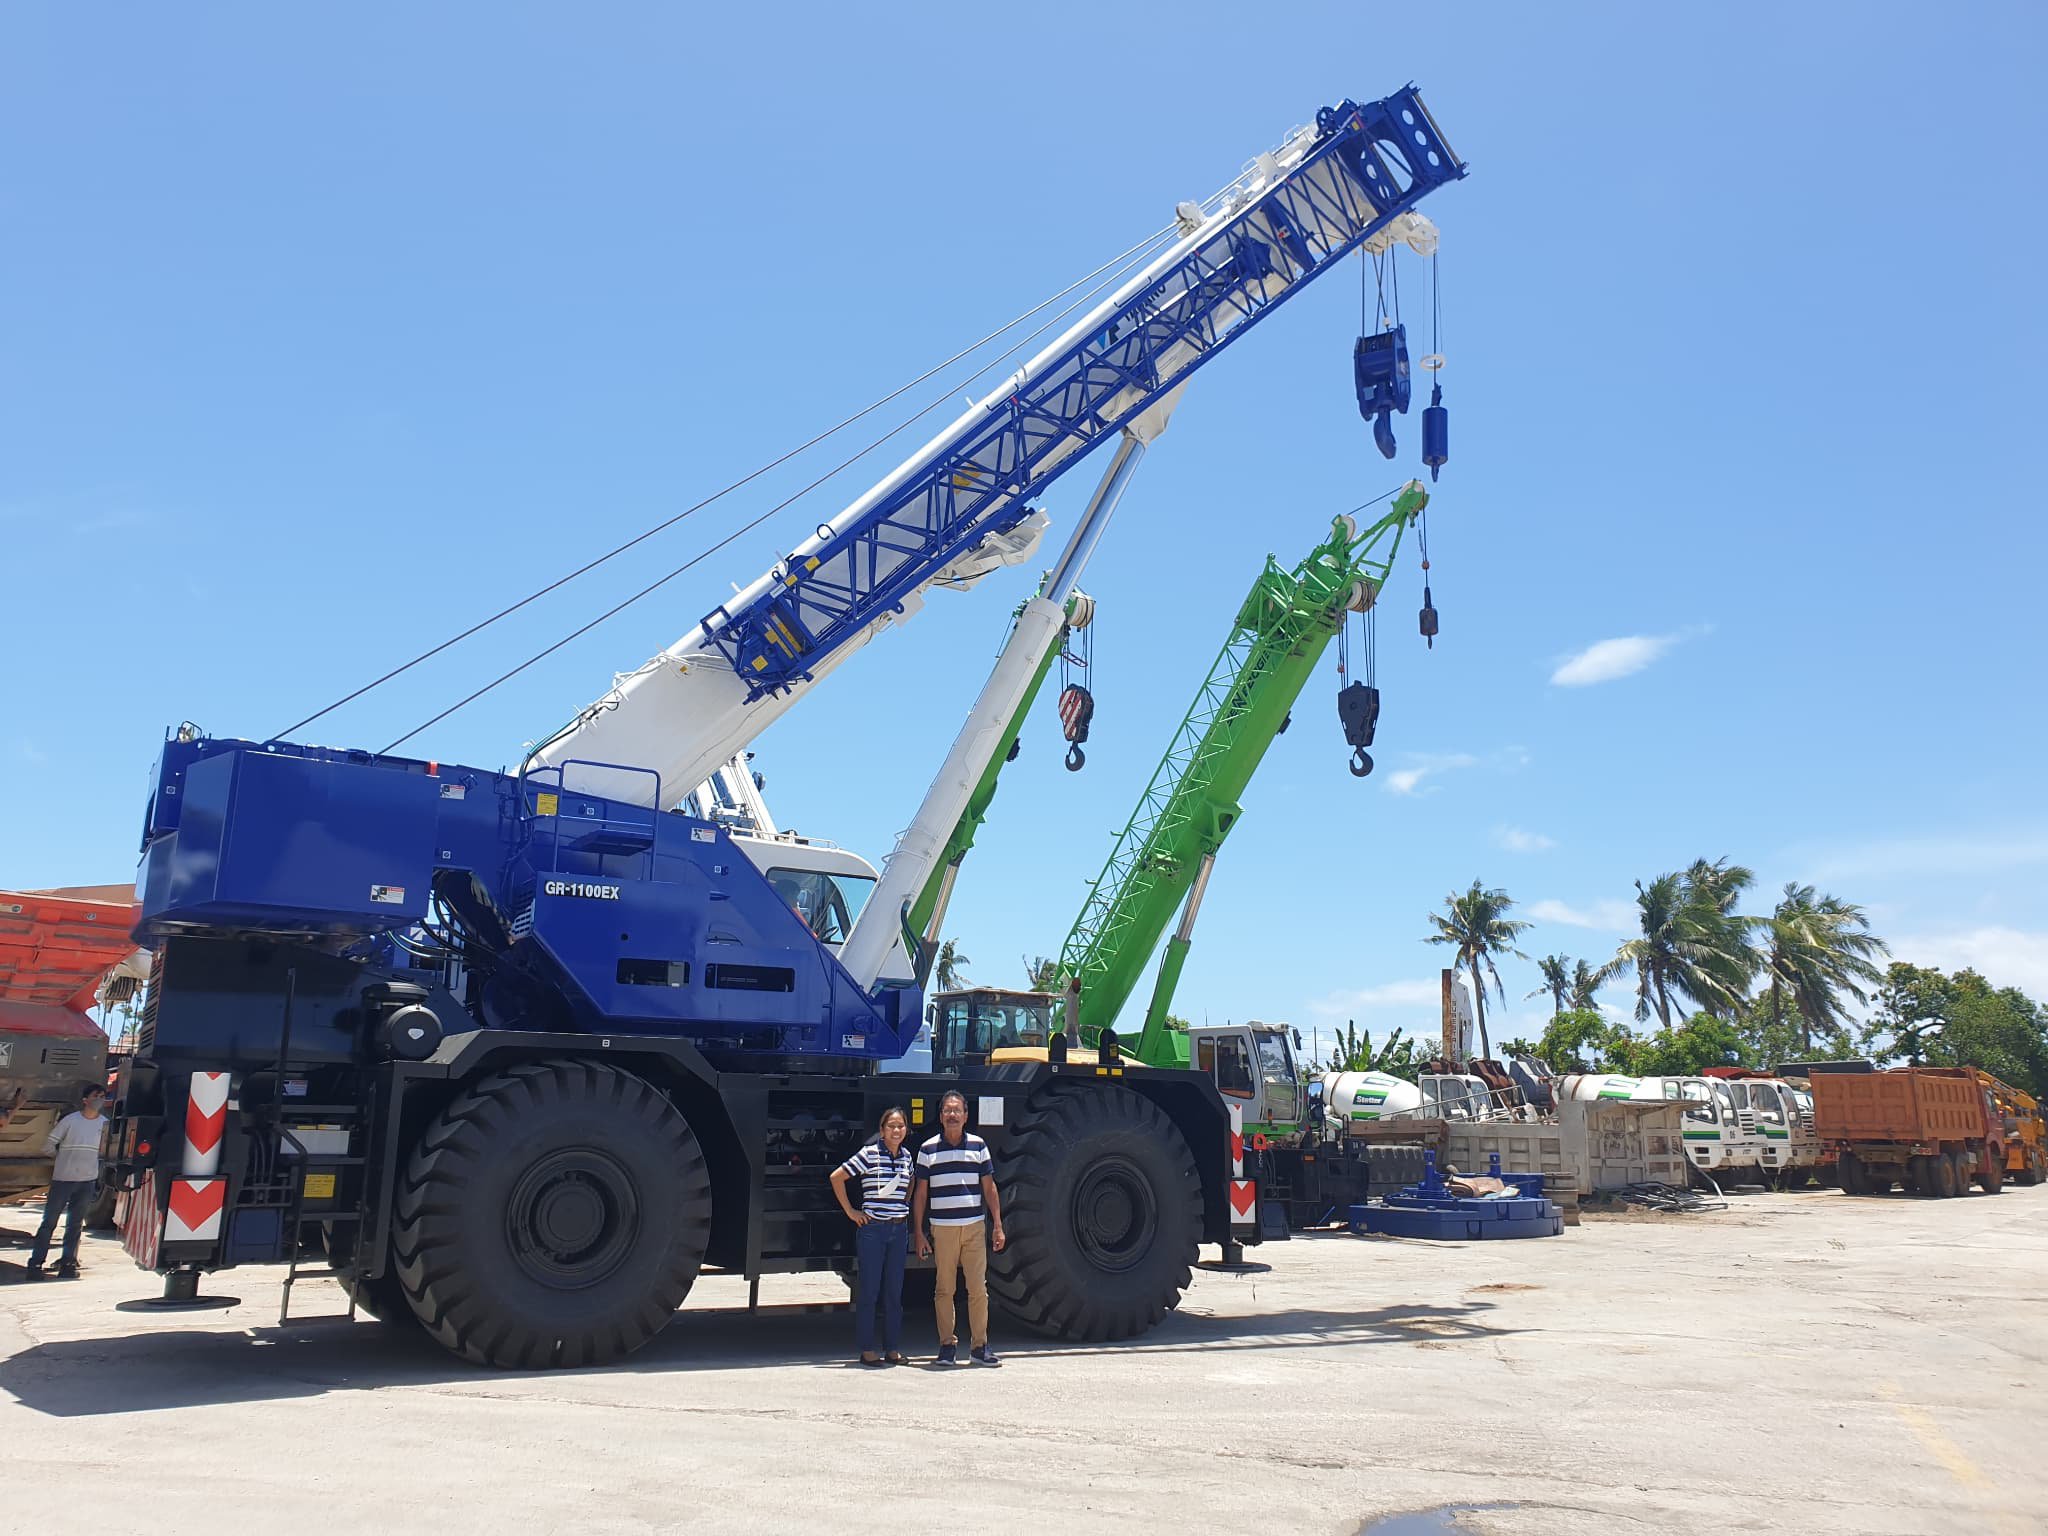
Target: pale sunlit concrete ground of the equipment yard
<point x="1799" y="1363"/>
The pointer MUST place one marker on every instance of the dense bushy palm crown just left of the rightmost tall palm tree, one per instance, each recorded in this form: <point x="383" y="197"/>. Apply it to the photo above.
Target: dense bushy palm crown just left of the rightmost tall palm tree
<point x="1693" y="945"/>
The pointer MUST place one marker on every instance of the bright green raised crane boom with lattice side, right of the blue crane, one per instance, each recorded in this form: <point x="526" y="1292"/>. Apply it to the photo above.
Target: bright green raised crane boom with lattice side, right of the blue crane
<point x="1164" y="855"/>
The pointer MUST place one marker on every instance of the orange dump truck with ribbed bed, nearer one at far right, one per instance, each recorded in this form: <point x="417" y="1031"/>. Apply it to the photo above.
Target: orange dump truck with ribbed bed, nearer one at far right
<point x="1932" y="1129"/>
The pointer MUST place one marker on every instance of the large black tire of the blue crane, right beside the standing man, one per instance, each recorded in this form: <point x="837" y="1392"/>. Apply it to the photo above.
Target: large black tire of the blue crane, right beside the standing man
<point x="1103" y="1211"/>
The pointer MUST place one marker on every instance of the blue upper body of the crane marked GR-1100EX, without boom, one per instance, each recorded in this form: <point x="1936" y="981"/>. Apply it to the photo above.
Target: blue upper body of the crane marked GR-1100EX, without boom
<point x="607" y="916"/>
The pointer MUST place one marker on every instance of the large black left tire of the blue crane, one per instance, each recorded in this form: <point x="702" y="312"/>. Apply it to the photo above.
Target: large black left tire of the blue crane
<point x="552" y="1215"/>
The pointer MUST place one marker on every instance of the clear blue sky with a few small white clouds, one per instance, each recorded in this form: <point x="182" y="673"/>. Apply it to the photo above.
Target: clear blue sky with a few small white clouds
<point x="329" y="333"/>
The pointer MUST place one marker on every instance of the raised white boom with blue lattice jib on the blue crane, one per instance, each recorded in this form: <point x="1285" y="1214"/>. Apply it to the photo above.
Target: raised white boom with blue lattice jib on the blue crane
<point x="962" y="505"/>
